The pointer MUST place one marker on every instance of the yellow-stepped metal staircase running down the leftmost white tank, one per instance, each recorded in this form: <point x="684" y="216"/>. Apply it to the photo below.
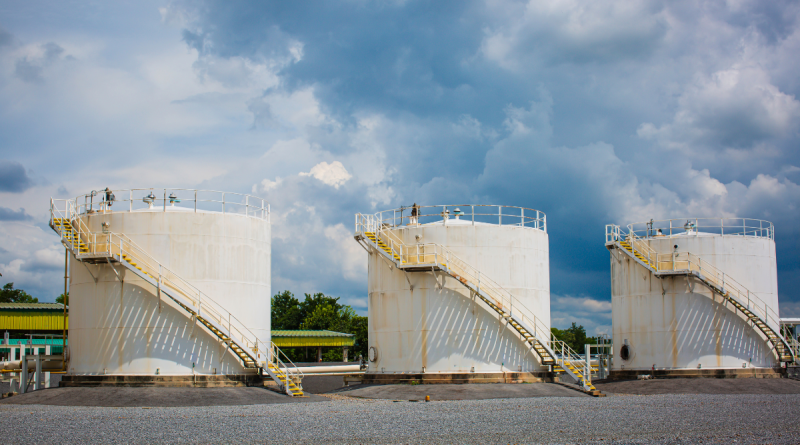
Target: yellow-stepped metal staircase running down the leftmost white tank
<point x="113" y="248"/>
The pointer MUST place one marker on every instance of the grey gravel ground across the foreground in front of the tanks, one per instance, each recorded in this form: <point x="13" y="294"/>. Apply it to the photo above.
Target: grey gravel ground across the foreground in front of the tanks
<point x="617" y="419"/>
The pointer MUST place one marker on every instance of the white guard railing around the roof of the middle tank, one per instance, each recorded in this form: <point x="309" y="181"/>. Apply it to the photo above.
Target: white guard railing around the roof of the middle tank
<point x="474" y="213"/>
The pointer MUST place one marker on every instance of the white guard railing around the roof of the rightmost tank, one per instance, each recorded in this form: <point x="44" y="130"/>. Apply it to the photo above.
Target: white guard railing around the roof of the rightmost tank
<point x="702" y="226"/>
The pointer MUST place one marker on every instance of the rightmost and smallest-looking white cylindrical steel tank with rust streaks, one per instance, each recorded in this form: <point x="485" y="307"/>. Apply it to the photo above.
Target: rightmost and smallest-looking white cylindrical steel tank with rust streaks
<point x="677" y="322"/>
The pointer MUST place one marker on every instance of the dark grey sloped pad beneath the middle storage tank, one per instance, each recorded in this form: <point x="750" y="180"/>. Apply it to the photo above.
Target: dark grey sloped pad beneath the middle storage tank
<point x="459" y="392"/>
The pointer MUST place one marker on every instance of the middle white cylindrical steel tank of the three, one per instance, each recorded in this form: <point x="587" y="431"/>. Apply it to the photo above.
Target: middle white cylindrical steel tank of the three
<point x="427" y="322"/>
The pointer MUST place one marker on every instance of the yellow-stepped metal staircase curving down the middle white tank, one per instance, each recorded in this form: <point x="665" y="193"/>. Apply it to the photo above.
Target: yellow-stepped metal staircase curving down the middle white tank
<point x="432" y="257"/>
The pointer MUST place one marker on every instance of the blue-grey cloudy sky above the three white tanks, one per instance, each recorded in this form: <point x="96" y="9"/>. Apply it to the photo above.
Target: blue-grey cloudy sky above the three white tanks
<point x="594" y="112"/>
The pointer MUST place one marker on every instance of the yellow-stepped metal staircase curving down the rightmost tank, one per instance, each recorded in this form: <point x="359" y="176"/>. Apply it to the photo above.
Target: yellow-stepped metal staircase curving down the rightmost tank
<point x="756" y="311"/>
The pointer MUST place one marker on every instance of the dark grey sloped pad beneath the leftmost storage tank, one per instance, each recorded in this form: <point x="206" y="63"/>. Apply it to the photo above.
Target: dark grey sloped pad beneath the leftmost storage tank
<point x="155" y="397"/>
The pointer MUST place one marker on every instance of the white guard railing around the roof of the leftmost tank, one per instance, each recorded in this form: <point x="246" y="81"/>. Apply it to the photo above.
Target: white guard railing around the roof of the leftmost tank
<point x="164" y="199"/>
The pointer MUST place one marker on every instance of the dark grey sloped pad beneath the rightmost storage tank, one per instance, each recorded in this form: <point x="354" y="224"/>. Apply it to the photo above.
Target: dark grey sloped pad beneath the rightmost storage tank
<point x="700" y="386"/>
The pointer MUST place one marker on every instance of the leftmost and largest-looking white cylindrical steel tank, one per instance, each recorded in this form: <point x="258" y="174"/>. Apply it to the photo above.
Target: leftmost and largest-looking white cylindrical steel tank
<point x="218" y="242"/>
